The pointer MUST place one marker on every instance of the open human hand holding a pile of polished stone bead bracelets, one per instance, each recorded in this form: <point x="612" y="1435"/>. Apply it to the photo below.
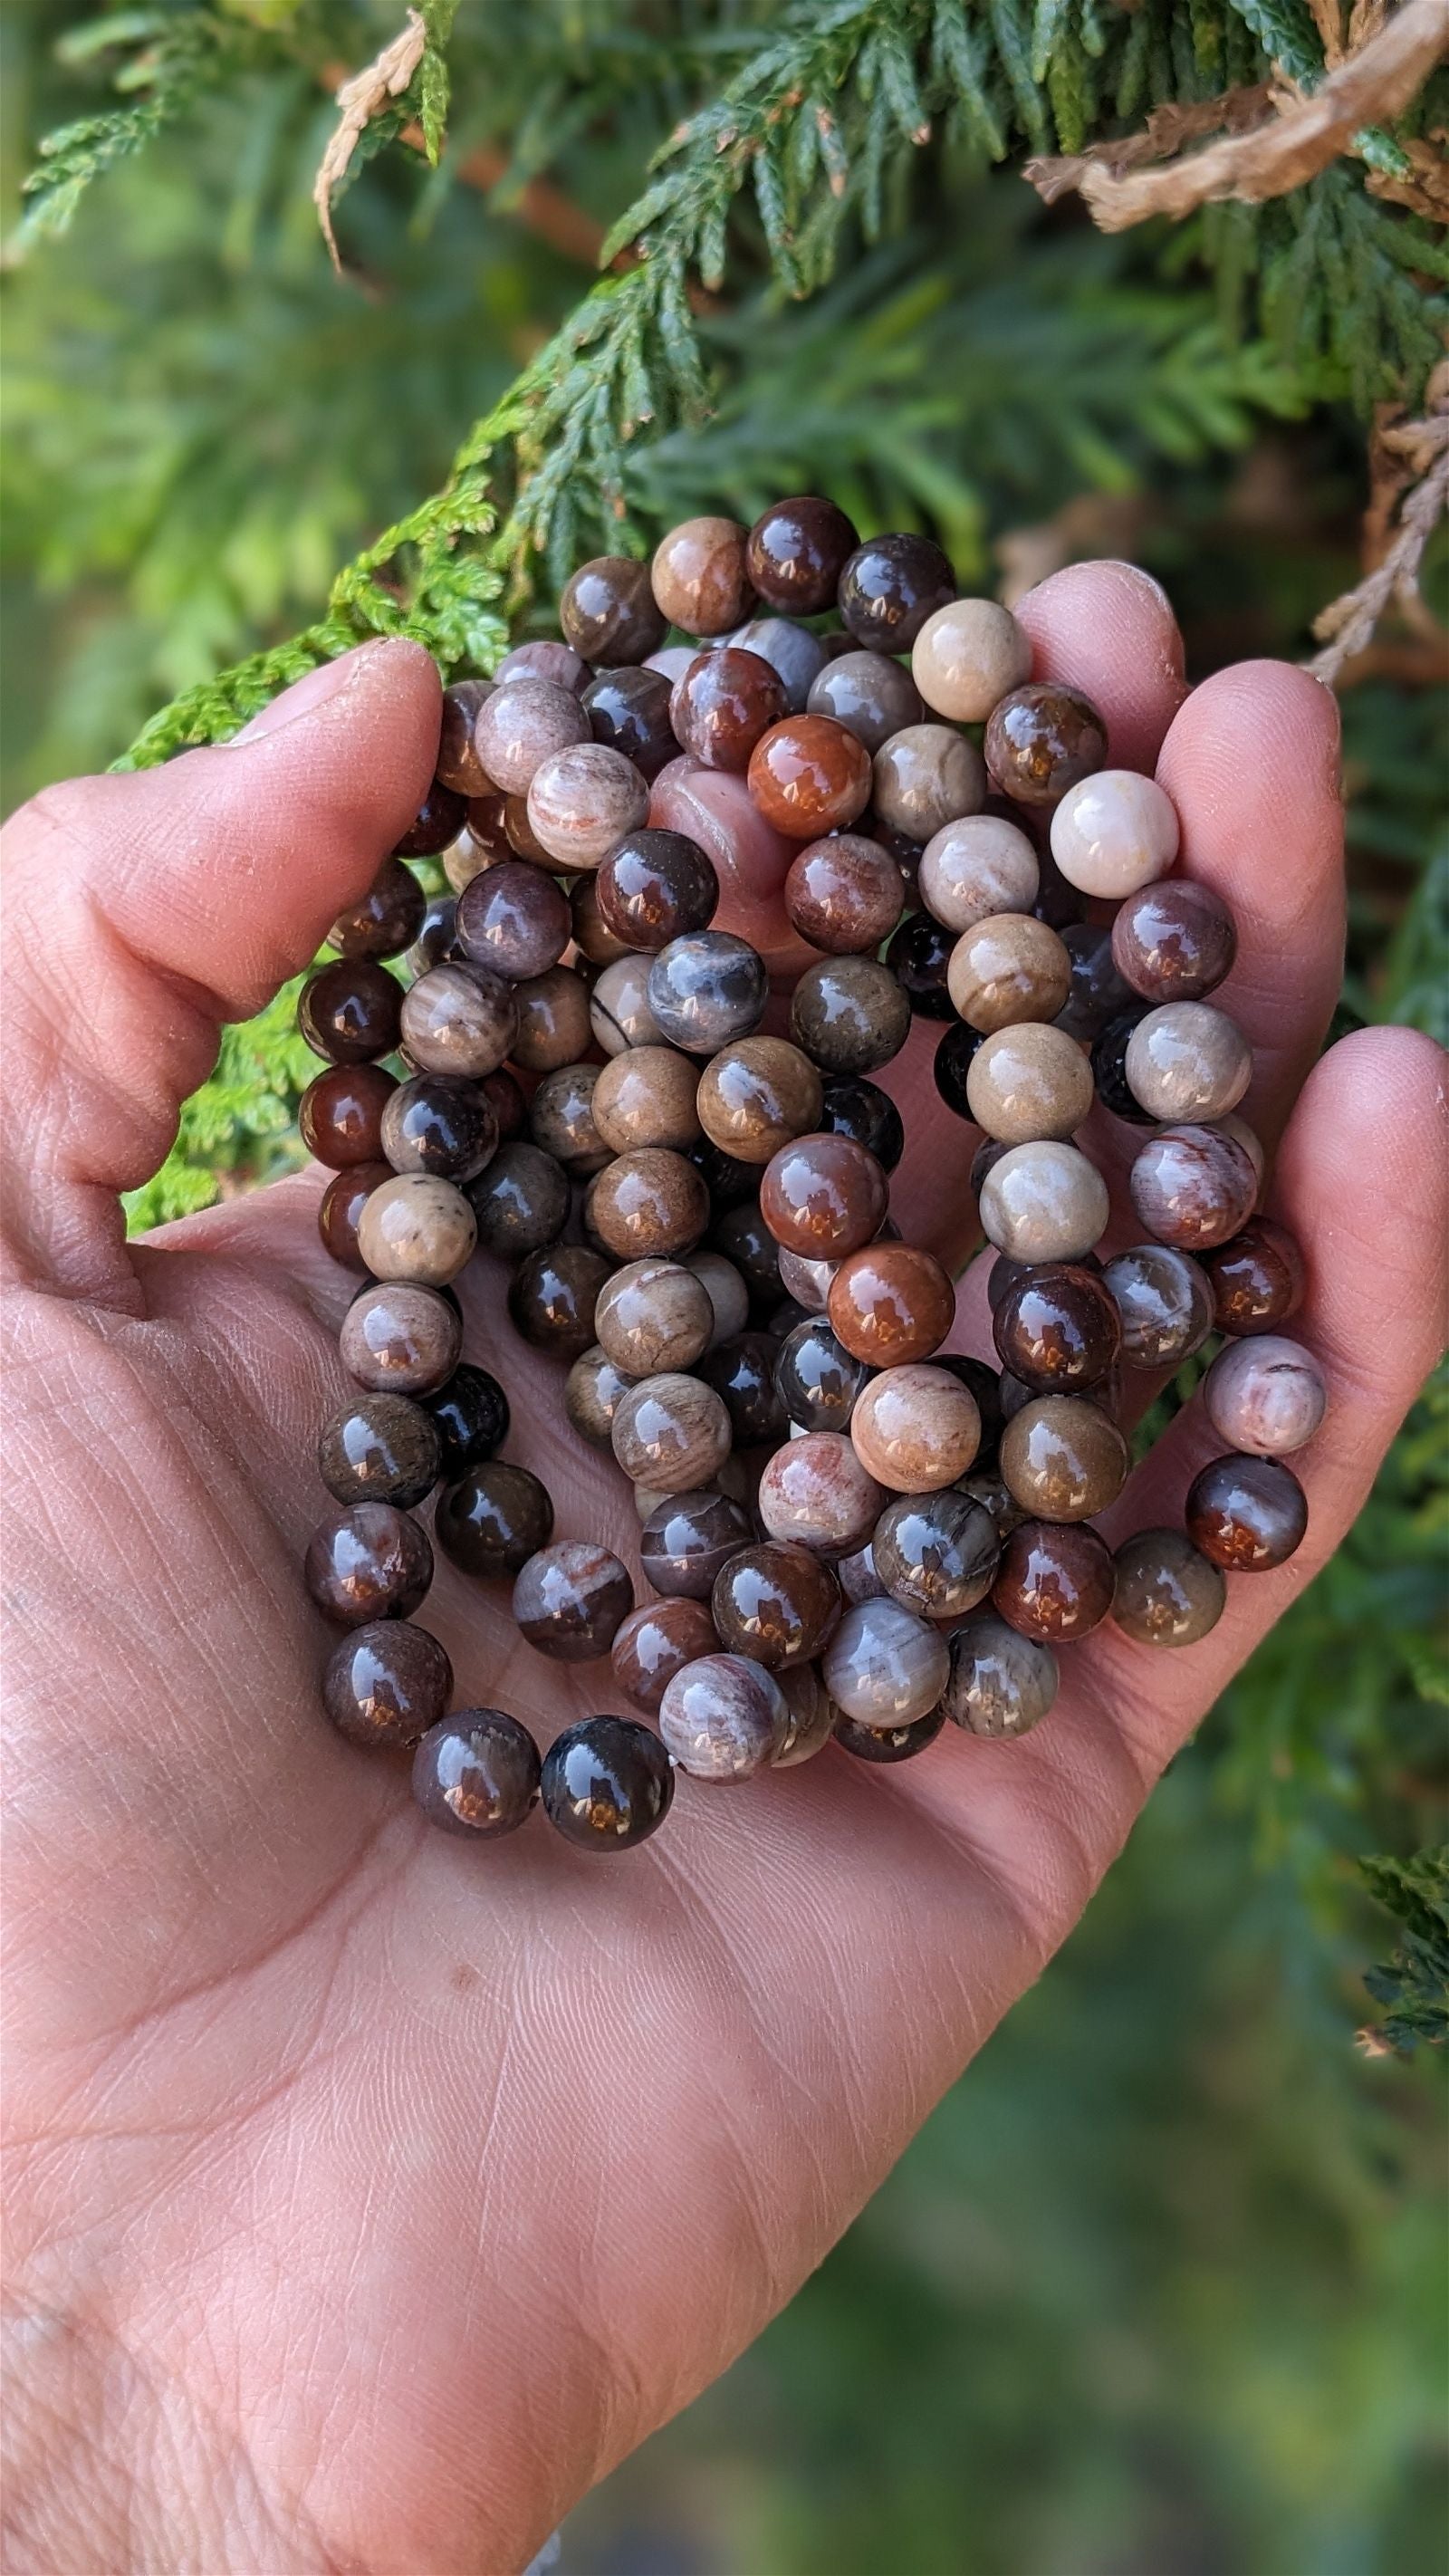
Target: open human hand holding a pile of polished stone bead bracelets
<point x="369" y="2196"/>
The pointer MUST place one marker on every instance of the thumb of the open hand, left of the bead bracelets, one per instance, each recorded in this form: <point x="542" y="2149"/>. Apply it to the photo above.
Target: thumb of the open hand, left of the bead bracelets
<point x="145" y="911"/>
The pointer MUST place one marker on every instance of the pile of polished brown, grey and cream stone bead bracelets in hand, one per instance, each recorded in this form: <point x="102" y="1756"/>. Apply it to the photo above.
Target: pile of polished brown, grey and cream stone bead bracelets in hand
<point x="848" y="1531"/>
